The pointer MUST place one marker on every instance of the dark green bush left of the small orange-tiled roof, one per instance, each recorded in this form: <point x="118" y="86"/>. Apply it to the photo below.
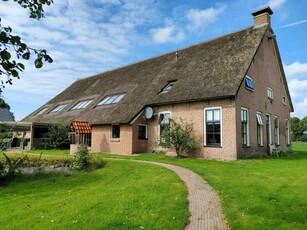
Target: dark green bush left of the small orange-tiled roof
<point x="57" y="137"/>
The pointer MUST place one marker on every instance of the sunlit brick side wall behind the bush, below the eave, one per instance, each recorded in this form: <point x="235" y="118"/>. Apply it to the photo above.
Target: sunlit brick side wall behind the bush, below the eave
<point x="194" y="112"/>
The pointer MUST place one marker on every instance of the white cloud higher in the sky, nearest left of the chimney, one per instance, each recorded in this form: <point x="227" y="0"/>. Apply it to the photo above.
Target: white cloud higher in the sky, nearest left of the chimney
<point x="201" y="18"/>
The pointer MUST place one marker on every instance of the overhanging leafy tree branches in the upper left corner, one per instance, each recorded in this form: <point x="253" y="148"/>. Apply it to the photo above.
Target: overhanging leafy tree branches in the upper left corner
<point x="13" y="43"/>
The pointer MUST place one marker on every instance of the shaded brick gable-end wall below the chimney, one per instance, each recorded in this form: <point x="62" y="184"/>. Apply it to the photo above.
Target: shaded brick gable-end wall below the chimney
<point x="265" y="73"/>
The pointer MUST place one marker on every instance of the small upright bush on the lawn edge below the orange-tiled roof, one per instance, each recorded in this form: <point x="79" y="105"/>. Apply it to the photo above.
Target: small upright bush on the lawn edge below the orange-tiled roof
<point x="82" y="159"/>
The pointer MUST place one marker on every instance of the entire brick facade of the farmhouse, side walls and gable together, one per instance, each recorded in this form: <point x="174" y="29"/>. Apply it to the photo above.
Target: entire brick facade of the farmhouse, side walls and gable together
<point x="265" y="71"/>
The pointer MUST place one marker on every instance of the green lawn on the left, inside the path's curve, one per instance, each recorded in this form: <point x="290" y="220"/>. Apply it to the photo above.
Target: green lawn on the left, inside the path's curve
<point x="121" y="195"/>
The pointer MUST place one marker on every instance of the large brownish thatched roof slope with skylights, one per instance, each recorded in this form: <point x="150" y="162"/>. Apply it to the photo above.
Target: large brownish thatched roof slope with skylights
<point x="208" y="70"/>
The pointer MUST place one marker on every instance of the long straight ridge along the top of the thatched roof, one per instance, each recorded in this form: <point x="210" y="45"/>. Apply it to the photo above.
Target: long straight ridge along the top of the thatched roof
<point x="160" y="55"/>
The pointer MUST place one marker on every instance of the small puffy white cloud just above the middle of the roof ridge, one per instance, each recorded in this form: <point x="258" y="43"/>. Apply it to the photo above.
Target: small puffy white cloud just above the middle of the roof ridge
<point x="166" y="34"/>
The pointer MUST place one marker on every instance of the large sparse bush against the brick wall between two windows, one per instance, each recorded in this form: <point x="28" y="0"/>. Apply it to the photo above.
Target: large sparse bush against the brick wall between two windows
<point x="178" y="136"/>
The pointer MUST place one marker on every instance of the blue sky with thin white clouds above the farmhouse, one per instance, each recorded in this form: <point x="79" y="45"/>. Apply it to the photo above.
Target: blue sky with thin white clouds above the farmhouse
<point x="89" y="37"/>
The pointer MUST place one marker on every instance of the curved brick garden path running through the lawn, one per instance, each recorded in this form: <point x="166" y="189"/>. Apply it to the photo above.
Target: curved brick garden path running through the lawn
<point x="204" y="203"/>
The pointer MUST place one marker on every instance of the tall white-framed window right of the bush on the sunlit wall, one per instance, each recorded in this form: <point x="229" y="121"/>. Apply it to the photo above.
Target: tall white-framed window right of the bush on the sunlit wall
<point x="213" y="127"/>
